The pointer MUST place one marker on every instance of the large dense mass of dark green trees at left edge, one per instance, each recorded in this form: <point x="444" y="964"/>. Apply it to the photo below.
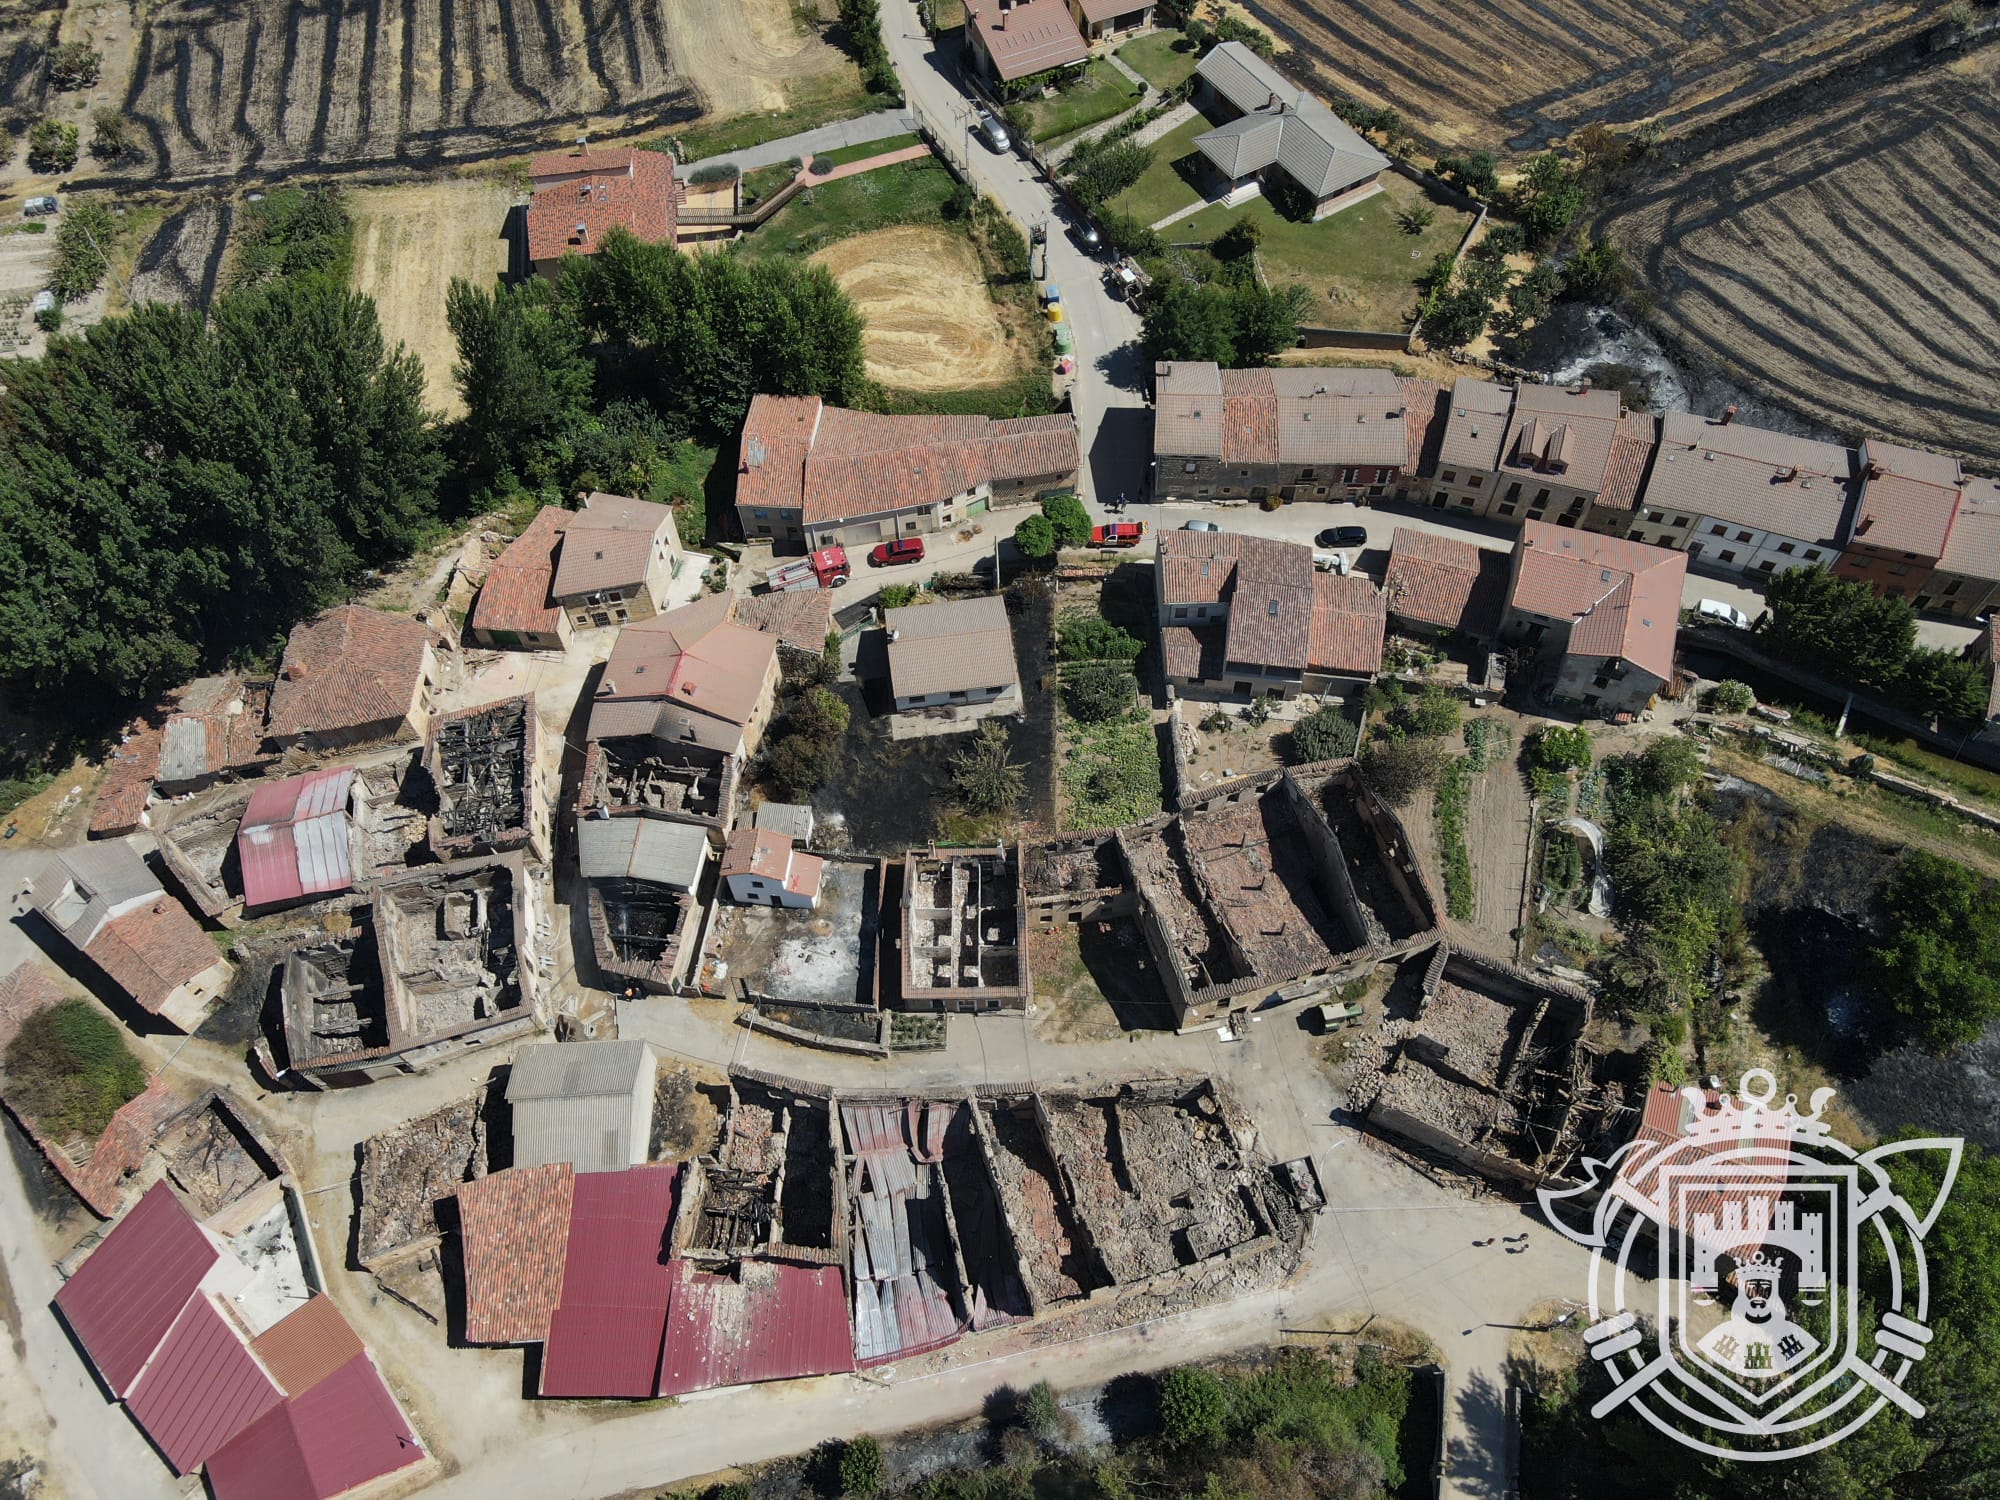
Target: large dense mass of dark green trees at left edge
<point x="181" y="489"/>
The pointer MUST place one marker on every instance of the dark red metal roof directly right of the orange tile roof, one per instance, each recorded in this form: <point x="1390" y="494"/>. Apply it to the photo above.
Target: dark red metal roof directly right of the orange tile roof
<point x="605" y="1337"/>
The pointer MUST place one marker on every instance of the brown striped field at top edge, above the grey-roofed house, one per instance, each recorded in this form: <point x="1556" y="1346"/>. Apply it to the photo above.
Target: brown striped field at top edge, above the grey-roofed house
<point x="1527" y="73"/>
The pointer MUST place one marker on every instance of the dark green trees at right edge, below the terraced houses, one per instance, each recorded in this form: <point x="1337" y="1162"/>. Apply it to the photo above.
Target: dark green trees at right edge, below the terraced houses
<point x="1853" y="633"/>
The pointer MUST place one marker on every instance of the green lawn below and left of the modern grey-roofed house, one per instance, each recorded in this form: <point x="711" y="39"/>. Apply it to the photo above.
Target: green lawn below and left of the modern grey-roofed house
<point x="1359" y="265"/>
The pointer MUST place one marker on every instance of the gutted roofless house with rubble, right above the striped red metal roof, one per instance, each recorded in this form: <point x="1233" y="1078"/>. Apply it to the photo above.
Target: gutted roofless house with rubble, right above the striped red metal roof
<point x="771" y="1185"/>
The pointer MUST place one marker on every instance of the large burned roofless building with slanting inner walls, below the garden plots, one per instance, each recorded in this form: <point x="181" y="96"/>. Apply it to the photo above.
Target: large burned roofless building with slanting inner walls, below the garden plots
<point x="1273" y="879"/>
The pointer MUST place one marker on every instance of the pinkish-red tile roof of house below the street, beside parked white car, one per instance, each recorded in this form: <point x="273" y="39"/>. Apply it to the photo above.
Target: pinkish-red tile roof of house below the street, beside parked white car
<point x="1621" y="597"/>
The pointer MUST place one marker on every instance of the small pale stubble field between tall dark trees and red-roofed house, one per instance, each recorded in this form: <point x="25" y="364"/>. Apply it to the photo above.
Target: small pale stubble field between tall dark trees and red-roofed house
<point x="409" y="243"/>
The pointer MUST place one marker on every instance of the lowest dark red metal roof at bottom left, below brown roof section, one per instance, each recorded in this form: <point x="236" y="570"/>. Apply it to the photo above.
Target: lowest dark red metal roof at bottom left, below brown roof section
<point x="343" y="1433"/>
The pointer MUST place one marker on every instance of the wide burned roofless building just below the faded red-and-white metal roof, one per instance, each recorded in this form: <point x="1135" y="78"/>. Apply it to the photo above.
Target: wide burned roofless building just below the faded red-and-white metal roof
<point x="453" y="967"/>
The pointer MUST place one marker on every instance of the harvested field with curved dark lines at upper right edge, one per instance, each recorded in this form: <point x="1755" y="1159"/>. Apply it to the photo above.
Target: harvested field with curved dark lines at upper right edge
<point x="1847" y="261"/>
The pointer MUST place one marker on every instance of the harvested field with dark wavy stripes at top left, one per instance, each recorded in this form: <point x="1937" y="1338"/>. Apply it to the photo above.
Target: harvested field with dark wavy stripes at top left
<point x="295" y="85"/>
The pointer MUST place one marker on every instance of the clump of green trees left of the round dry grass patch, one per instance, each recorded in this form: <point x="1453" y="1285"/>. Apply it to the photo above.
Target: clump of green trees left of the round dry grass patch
<point x="629" y="355"/>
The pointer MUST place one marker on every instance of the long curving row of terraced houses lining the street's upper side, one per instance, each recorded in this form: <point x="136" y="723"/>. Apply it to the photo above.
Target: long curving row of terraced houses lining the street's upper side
<point x="1735" y="499"/>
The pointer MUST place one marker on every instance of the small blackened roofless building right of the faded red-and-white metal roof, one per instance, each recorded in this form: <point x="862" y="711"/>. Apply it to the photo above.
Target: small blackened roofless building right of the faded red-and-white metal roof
<point x="483" y="773"/>
